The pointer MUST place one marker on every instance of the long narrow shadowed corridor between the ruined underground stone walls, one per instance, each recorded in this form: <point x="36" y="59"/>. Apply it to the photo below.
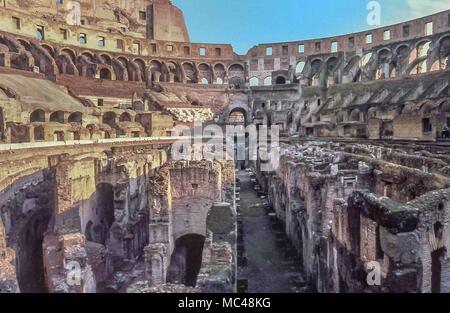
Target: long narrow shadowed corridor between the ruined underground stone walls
<point x="266" y="262"/>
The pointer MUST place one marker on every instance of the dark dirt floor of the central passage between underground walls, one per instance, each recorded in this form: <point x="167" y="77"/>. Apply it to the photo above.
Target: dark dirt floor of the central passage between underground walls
<point x="268" y="268"/>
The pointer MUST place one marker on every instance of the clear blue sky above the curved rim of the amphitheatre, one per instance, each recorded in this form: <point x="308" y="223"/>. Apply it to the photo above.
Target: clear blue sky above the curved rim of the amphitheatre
<point x="245" y="23"/>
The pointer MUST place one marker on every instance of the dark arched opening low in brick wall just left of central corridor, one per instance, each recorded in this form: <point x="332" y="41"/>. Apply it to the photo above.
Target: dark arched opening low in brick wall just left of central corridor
<point x="186" y="260"/>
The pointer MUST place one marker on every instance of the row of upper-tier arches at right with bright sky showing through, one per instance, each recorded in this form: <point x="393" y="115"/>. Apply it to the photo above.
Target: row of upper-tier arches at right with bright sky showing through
<point x="388" y="62"/>
